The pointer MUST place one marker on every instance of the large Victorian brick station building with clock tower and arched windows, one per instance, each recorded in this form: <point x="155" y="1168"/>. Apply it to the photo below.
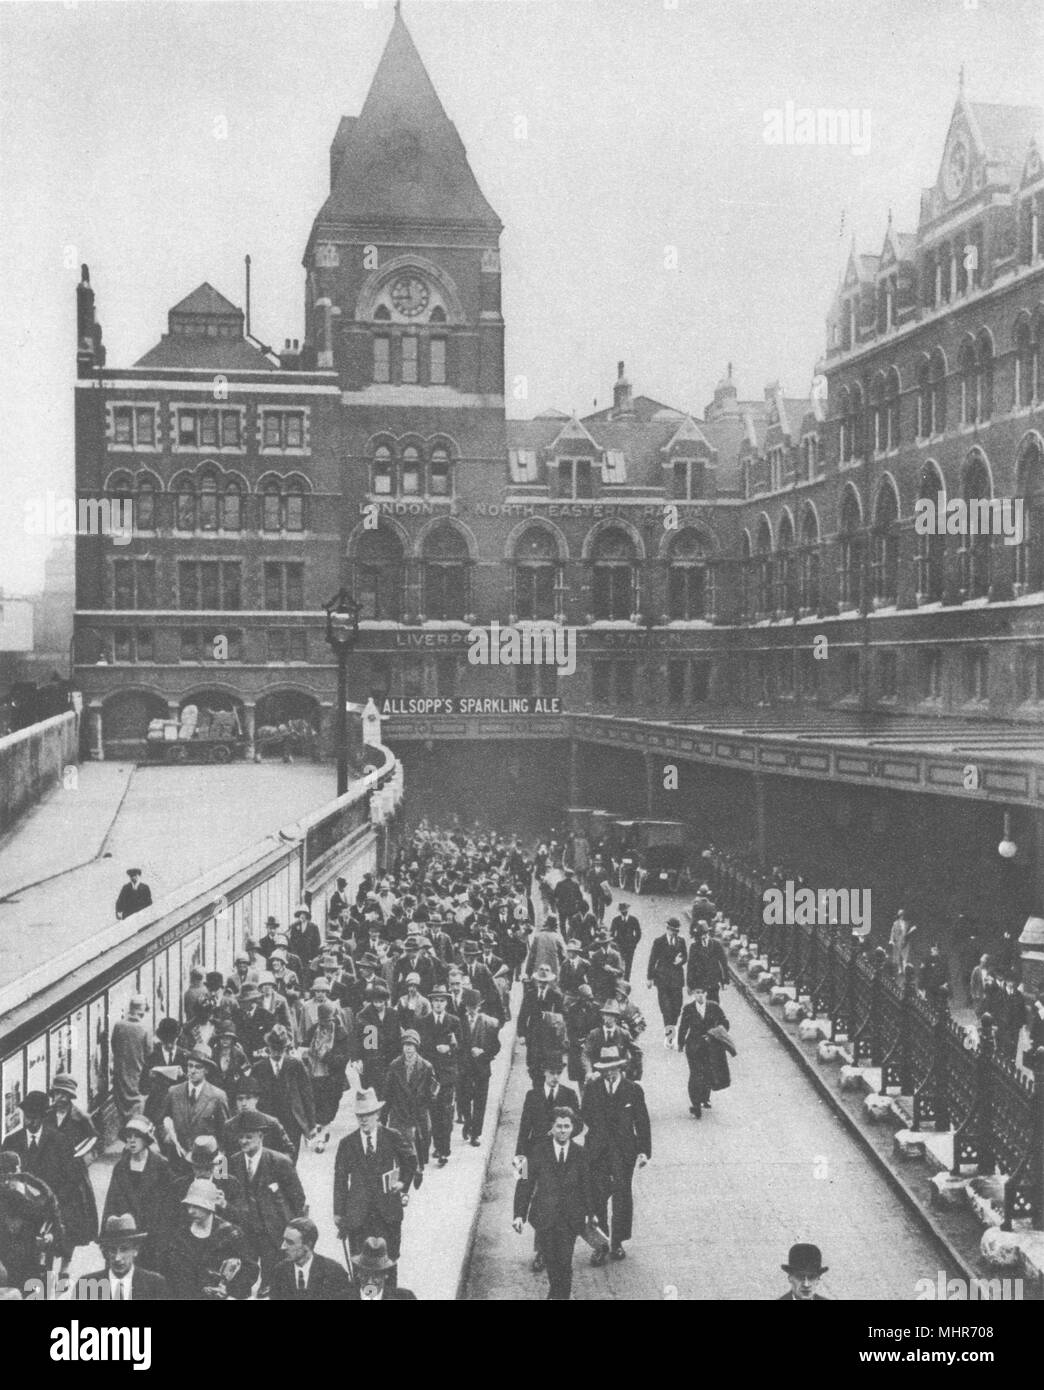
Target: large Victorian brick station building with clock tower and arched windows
<point x="700" y="554"/>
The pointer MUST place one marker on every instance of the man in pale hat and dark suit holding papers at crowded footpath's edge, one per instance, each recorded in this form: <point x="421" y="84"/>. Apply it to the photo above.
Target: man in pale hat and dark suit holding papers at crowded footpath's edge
<point x="373" y="1174"/>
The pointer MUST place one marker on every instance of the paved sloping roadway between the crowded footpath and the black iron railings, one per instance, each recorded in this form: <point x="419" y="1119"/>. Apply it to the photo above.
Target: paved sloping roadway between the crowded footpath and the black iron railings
<point x="726" y="1196"/>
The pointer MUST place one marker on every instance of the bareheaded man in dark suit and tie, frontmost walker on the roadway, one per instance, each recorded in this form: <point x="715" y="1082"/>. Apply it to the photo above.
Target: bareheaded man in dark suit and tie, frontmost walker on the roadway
<point x="558" y="1199"/>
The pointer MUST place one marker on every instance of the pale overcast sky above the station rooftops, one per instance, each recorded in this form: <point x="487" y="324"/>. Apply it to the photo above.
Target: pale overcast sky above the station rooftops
<point x="643" y="129"/>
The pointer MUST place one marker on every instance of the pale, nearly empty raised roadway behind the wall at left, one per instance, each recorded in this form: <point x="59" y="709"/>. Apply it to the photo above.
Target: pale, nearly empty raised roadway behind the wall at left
<point x="63" y="865"/>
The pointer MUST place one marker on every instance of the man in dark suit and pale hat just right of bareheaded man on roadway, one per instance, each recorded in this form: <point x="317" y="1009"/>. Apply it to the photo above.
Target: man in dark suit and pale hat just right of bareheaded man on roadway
<point x="619" y="1136"/>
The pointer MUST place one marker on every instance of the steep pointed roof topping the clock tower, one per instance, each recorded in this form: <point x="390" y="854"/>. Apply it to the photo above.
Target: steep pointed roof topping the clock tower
<point x="404" y="159"/>
